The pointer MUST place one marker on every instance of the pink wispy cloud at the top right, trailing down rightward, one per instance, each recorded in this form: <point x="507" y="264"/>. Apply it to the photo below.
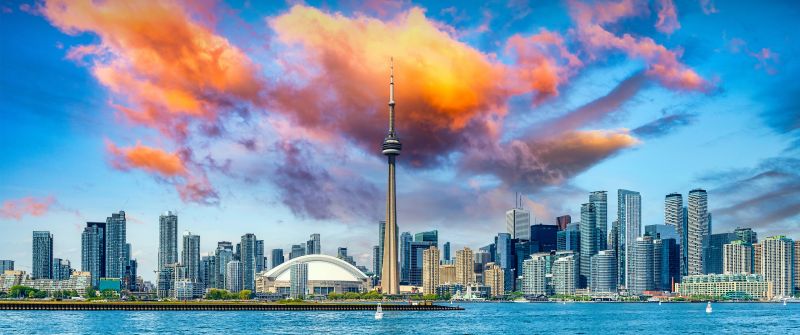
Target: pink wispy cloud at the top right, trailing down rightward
<point x="662" y="63"/>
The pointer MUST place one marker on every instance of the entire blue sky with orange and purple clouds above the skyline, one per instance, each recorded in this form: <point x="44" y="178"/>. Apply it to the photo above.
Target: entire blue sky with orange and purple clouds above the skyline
<point x="267" y="117"/>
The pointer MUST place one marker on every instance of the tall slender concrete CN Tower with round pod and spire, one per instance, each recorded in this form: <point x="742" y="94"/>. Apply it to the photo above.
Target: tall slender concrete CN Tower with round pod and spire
<point x="390" y="281"/>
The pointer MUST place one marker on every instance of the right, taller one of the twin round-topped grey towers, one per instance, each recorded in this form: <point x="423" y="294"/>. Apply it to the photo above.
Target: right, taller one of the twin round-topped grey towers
<point x="697" y="211"/>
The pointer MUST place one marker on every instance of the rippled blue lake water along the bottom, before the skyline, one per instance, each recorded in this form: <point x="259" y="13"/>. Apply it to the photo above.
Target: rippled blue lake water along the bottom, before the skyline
<point x="478" y="318"/>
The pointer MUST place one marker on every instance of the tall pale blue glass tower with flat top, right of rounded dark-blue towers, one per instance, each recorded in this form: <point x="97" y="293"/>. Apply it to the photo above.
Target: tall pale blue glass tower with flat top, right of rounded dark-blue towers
<point x="629" y="218"/>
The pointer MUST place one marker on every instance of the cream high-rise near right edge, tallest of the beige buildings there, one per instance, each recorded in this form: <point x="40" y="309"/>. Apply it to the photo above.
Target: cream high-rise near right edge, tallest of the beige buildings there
<point x="777" y="262"/>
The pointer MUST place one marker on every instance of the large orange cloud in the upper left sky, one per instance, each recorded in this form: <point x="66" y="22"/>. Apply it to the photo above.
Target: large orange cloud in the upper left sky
<point x="168" y="68"/>
